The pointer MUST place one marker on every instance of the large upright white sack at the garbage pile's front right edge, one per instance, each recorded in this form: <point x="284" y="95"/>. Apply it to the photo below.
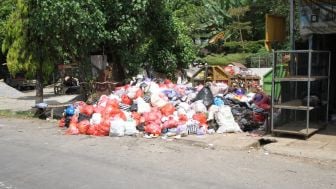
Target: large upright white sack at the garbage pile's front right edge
<point x="225" y="120"/>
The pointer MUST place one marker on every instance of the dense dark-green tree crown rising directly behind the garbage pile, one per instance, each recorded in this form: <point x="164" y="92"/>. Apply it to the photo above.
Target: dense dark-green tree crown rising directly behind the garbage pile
<point x="145" y="33"/>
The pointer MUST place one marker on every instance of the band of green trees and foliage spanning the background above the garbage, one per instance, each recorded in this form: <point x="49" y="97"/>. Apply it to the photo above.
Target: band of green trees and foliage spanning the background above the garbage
<point x="161" y="35"/>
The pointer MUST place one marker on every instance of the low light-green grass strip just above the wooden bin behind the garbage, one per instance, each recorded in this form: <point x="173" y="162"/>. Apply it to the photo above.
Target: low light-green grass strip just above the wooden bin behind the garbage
<point x="219" y="59"/>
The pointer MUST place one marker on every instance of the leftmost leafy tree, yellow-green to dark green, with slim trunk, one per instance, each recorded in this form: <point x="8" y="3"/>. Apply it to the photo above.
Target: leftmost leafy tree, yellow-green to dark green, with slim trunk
<point x="41" y="34"/>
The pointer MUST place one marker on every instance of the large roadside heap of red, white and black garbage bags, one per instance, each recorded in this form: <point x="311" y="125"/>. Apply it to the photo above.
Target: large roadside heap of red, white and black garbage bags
<point x="160" y="107"/>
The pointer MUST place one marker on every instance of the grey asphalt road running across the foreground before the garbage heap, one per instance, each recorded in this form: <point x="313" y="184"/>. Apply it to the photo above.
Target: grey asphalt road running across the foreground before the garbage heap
<point x="35" y="155"/>
